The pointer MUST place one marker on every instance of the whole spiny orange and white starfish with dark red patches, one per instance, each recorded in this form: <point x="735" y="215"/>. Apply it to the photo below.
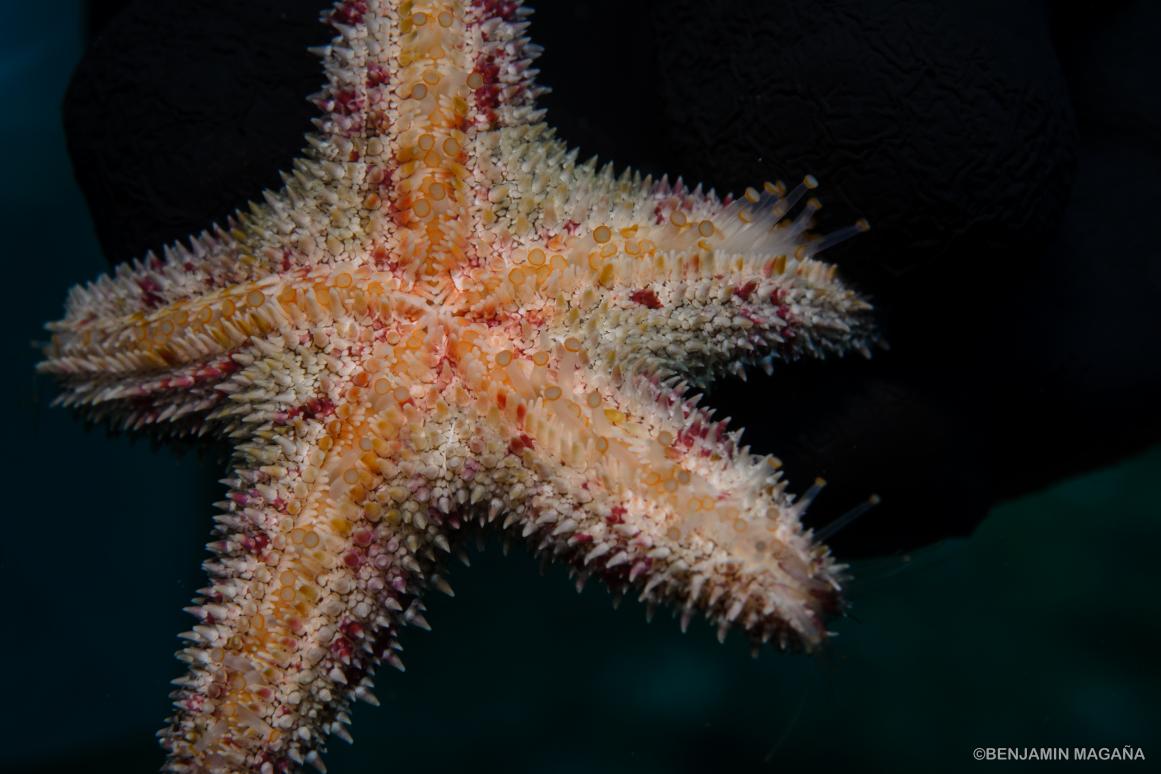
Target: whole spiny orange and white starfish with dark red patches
<point x="443" y="320"/>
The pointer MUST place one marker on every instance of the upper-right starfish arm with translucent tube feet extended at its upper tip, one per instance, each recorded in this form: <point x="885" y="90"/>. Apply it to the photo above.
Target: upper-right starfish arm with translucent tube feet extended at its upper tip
<point x="658" y="278"/>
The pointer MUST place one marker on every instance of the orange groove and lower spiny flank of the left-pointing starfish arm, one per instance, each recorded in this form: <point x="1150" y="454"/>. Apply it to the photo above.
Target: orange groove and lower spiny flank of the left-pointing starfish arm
<point x="175" y="365"/>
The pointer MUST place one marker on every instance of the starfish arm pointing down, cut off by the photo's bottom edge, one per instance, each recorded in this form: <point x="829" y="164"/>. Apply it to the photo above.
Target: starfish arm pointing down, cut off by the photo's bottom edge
<point x="335" y="525"/>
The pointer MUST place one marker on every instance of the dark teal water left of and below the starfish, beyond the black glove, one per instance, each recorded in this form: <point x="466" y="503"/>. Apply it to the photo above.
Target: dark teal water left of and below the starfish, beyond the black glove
<point x="1041" y="630"/>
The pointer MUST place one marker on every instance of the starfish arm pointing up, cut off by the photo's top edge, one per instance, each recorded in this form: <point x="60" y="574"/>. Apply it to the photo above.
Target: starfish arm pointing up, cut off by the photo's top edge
<point x="410" y="90"/>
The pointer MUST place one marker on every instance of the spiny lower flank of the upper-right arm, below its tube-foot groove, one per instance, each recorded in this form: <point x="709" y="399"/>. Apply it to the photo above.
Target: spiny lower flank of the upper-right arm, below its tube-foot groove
<point x="704" y="321"/>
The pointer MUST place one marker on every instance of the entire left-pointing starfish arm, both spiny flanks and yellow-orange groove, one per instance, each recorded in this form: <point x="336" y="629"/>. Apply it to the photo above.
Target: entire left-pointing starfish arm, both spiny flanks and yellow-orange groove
<point x="169" y="323"/>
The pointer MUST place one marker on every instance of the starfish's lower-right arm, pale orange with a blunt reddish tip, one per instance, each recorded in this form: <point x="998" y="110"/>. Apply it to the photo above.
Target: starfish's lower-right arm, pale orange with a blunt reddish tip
<point x="629" y="480"/>
